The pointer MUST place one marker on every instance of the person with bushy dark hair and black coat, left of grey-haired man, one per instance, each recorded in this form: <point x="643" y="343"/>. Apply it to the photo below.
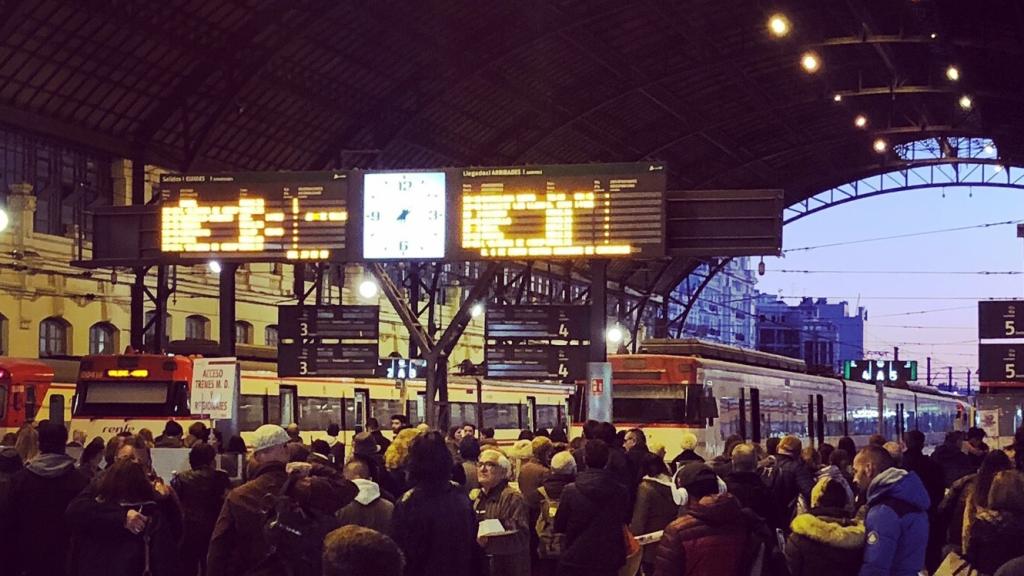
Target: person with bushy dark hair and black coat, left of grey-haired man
<point x="434" y="523"/>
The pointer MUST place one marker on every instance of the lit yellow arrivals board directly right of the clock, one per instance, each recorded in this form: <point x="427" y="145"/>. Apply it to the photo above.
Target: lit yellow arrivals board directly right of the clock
<point x="602" y="211"/>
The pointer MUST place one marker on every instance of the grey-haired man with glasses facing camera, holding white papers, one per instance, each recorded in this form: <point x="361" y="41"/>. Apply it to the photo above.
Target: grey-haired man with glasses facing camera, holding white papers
<point x="508" y="555"/>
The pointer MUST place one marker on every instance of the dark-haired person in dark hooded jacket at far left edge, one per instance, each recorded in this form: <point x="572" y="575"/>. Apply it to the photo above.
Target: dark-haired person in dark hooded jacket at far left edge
<point x="39" y="495"/>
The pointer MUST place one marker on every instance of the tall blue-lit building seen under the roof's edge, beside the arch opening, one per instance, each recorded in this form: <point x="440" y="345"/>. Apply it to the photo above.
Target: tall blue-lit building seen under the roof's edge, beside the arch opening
<point x="726" y="309"/>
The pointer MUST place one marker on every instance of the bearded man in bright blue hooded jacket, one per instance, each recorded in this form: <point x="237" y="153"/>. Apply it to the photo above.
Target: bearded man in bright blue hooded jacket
<point x="897" y="523"/>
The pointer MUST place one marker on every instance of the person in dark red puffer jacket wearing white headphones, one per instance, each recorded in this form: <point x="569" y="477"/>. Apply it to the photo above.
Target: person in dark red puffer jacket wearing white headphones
<point x="715" y="537"/>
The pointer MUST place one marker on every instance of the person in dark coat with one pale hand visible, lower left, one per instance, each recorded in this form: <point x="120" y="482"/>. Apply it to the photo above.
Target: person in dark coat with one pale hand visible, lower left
<point x="124" y="525"/>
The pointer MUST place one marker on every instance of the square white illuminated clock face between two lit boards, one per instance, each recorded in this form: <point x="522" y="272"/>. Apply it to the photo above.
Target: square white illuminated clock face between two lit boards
<point x="404" y="216"/>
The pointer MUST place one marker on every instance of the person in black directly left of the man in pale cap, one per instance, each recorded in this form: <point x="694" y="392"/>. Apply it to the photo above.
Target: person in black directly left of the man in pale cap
<point x="201" y="492"/>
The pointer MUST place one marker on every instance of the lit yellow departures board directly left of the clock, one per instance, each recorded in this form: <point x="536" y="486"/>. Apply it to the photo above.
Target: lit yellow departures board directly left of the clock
<point x="255" y="217"/>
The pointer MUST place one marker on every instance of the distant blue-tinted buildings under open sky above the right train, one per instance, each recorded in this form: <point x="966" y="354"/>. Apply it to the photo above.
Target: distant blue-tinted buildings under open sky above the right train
<point x="821" y="334"/>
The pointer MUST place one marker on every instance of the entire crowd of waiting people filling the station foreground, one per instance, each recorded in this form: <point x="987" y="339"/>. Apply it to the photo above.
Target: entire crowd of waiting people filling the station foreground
<point x="424" y="503"/>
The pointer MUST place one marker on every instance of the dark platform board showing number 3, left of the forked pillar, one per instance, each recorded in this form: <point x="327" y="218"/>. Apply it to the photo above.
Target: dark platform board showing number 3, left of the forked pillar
<point x="328" y="341"/>
